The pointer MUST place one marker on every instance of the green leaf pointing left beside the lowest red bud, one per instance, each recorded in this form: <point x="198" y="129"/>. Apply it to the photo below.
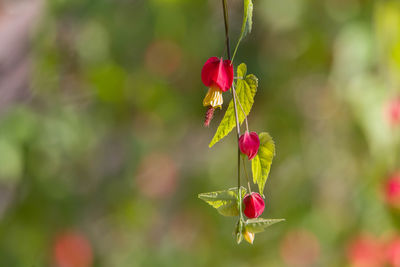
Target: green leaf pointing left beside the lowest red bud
<point x="226" y="201"/>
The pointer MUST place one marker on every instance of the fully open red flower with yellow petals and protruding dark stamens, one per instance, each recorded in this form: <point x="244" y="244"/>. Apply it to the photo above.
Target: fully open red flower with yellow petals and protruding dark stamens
<point x="217" y="74"/>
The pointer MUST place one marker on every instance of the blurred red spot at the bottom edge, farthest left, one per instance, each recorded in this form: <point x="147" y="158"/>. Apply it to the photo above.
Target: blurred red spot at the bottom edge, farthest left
<point x="71" y="249"/>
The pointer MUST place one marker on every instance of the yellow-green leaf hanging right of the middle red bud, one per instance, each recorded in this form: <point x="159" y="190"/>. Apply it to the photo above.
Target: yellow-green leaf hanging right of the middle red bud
<point x="261" y="163"/>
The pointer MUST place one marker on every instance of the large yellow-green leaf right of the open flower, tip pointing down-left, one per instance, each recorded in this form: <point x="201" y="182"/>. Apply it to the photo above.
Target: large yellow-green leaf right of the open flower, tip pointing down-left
<point x="246" y="88"/>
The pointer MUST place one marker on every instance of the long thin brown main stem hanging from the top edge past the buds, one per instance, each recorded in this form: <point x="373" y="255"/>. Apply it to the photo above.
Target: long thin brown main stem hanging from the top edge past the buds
<point x="224" y="7"/>
